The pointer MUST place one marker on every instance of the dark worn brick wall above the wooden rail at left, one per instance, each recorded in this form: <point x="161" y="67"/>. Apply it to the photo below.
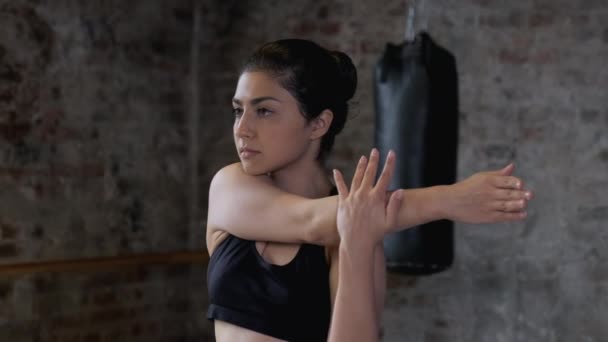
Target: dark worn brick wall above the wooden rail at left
<point x="94" y="150"/>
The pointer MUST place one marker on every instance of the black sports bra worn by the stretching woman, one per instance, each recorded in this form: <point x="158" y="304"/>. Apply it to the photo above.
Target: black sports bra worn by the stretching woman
<point x="289" y="302"/>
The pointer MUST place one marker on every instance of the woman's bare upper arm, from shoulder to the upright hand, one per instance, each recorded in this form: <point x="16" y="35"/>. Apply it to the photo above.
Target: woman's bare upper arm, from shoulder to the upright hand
<point x="252" y="208"/>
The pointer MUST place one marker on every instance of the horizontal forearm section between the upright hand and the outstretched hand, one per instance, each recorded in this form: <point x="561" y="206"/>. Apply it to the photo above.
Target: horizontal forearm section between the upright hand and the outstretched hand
<point x="423" y="205"/>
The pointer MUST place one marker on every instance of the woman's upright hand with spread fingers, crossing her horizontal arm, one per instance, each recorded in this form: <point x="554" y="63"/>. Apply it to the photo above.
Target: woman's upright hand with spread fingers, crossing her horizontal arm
<point x="364" y="216"/>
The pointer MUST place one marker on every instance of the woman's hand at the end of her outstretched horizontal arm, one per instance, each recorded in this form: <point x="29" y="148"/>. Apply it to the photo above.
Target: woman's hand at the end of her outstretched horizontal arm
<point x="488" y="197"/>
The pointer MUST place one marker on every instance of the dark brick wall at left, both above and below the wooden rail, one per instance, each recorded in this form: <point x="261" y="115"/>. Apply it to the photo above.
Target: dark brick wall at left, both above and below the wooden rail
<point x="94" y="101"/>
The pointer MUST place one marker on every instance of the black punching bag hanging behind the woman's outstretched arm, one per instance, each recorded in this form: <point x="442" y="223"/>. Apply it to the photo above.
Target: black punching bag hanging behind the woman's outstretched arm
<point x="416" y="99"/>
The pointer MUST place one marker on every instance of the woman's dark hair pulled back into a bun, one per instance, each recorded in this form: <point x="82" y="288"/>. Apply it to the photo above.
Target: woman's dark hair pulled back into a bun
<point x="317" y="78"/>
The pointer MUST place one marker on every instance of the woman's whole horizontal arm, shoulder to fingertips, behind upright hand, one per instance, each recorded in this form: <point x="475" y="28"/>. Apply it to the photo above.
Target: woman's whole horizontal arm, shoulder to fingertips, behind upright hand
<point x="251" y="207"/>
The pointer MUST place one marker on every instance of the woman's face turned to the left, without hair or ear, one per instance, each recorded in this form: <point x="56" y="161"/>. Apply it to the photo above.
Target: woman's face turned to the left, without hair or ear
<point x="270" y="132"/>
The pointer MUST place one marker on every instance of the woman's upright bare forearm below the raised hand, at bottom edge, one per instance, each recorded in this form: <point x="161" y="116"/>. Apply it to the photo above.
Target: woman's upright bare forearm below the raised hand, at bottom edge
<point x="354" y="316"/>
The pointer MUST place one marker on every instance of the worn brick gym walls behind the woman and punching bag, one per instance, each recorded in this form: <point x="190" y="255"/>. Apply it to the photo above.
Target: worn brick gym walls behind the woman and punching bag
<point x="114" y="115"/>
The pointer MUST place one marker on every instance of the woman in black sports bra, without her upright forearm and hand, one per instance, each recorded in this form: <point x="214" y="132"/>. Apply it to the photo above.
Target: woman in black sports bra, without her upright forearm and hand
<point x="271" y="226"/>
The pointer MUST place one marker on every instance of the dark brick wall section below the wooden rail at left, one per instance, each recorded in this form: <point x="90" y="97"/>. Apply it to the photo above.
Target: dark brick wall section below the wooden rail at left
<point x="148" y="303"/>
